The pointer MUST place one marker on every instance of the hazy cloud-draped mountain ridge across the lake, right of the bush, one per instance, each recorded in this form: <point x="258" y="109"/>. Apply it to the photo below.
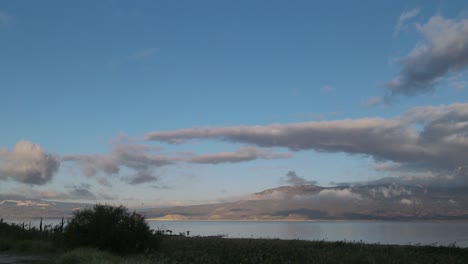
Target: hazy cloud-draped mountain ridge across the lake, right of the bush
<point x="310" y="202"/>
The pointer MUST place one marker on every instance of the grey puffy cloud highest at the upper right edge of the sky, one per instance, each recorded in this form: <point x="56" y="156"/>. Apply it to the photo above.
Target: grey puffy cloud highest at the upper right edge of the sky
<point x="443" y="51"/>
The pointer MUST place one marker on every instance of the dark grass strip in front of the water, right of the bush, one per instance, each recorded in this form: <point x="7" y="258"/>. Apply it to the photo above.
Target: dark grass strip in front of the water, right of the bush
<point x="178" y="249"/>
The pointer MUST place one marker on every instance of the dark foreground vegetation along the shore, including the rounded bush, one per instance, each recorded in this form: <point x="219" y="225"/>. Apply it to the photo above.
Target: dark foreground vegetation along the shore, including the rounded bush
<point x="97" y="236"/>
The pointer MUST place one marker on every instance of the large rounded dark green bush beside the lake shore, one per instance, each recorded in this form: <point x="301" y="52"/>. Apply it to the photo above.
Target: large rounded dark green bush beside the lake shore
<point x="109" y="228"/>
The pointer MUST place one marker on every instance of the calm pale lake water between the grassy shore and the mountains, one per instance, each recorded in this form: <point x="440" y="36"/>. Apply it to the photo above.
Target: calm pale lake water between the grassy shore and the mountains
<point x="403" y="233"/>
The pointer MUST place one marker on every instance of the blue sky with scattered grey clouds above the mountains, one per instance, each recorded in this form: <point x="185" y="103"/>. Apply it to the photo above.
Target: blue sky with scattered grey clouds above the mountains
<point x="162" y="103"/>
